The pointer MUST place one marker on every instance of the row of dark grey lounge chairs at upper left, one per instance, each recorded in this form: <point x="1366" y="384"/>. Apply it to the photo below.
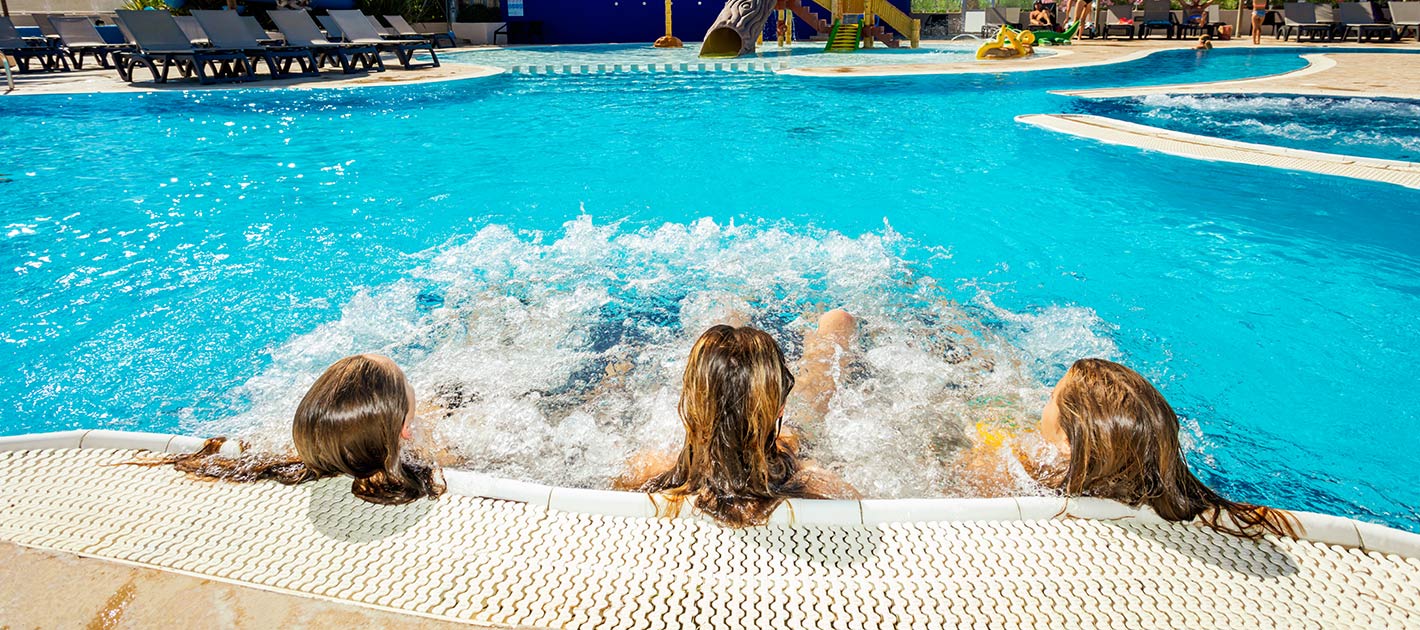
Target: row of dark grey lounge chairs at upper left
<point x="221" y="46"/>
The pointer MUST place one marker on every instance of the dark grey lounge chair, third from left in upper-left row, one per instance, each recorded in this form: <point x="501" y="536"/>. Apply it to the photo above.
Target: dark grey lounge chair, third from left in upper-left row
<point x="161" y="40"/>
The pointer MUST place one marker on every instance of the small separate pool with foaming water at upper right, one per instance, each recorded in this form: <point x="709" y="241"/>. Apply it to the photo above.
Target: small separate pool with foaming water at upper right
<point x="1362" y="127"/>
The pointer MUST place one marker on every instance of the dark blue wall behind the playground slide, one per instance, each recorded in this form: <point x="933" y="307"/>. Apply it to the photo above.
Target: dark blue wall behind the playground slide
<point x="626" y="22"/>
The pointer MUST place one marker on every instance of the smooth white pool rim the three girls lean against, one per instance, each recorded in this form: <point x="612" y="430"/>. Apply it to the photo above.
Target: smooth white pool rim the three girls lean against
<point x="799" y="513"/>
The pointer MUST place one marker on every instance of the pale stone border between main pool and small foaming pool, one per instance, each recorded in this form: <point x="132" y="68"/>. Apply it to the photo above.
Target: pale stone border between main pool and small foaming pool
<point x="1216" y="150"/>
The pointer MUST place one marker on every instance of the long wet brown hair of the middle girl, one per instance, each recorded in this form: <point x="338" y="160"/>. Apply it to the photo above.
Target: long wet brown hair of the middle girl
<point x="733" y="465"/>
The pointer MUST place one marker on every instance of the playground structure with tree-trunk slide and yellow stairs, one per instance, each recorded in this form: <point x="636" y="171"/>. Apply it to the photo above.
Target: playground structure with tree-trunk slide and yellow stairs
<point x="860" y="23"/>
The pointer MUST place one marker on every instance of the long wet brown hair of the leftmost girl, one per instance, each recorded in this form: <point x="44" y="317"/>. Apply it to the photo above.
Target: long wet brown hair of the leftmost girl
<point x="349" y="424"/>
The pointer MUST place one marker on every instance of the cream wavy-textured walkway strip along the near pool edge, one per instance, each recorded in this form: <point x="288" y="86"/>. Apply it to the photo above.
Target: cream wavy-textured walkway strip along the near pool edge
<point x="512" y="564"/>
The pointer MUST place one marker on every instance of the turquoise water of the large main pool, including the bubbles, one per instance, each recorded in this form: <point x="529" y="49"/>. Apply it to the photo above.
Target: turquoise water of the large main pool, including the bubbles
<point x="190" y="263"/>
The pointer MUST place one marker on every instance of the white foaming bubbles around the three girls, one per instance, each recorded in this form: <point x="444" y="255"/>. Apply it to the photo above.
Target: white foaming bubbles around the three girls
<point x="557" y="358"/>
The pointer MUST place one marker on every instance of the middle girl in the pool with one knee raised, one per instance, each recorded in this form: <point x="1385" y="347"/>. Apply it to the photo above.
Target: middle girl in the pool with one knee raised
<point x="739" y="460"/>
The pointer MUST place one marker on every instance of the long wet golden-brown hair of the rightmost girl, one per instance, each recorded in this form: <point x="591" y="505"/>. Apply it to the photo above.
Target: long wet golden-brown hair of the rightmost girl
<point x="1124" y="441"/>
